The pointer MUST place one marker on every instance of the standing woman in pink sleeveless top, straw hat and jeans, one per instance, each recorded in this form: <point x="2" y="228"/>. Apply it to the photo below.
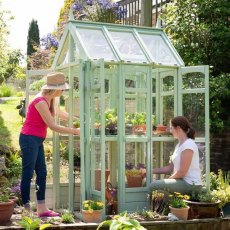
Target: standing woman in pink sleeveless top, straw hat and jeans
<point x="40" y="115"/>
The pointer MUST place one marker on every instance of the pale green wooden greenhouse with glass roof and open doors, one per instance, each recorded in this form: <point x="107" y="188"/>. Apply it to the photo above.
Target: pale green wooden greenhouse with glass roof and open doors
<point x="126" y="83"/>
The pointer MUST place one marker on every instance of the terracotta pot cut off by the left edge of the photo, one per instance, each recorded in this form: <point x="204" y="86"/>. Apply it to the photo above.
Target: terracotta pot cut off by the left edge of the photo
<point x="6" y="211"/>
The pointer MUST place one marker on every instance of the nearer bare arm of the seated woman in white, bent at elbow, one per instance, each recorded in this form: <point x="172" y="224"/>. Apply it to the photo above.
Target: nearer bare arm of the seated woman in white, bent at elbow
<point x="185" y="162"/>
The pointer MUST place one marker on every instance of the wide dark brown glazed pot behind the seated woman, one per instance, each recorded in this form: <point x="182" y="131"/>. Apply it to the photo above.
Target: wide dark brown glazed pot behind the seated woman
<point x="201" y="210"/>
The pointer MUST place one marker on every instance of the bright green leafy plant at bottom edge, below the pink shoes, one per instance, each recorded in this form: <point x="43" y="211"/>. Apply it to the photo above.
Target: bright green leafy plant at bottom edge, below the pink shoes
<point x="31" y="223"/>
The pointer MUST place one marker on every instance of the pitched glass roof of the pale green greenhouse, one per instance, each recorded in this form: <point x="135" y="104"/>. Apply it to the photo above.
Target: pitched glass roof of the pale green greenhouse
<point x="116" y="43"/>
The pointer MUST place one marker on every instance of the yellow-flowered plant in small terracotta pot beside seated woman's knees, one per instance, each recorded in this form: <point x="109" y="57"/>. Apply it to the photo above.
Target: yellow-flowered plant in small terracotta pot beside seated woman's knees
<point x="178" y="205"/>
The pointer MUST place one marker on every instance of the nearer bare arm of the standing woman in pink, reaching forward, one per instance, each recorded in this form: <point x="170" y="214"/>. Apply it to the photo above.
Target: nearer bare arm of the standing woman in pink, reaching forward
<point x="43" y="110"/>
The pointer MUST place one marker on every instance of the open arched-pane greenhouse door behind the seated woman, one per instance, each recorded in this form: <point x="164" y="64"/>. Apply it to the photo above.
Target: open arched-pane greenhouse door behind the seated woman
<point x="193" y="102"/>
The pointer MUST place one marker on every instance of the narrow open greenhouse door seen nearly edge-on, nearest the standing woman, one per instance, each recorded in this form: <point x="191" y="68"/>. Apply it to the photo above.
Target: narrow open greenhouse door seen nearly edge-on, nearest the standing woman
<point x="93" y="102"/>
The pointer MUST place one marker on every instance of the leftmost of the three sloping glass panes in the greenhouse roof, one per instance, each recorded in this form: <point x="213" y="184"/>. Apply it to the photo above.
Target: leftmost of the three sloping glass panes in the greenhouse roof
<point x="95" y="44"/>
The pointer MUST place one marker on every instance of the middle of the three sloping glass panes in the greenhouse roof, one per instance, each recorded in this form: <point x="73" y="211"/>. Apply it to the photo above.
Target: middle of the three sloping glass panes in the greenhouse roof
<point x="128" y="46"/>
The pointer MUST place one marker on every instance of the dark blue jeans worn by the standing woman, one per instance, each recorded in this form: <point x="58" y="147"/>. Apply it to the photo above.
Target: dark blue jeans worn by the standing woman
<point x="33" y="159"/>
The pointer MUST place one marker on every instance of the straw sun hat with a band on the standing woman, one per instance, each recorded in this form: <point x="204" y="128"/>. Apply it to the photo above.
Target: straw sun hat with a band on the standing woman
<point x="56" y="80"/>
